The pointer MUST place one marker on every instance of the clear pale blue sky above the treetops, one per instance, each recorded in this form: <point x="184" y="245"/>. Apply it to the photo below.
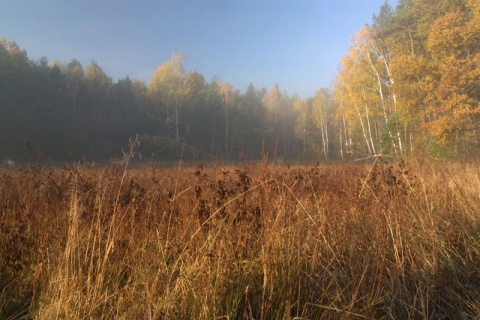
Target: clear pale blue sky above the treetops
<point x="296" y="44"/>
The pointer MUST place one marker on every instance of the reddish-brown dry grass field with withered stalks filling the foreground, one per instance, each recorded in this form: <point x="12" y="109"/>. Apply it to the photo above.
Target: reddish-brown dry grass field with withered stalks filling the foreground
<point x="371" y="241"/>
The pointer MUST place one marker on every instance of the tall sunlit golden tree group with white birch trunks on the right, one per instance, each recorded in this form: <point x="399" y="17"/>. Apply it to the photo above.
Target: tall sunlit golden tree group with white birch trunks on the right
<point x="410" y="83"/>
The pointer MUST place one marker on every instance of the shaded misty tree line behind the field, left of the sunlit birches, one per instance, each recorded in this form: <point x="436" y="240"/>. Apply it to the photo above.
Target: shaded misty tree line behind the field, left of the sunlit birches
<point x="66" y="112"/>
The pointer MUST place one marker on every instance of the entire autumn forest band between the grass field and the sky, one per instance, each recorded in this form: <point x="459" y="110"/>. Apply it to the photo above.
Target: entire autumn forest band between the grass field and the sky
<point x="409" y="85"/>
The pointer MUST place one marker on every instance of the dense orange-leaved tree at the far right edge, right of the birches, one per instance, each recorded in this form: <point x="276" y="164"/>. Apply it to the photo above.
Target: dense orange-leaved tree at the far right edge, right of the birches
<point x="453" y="45"/>
